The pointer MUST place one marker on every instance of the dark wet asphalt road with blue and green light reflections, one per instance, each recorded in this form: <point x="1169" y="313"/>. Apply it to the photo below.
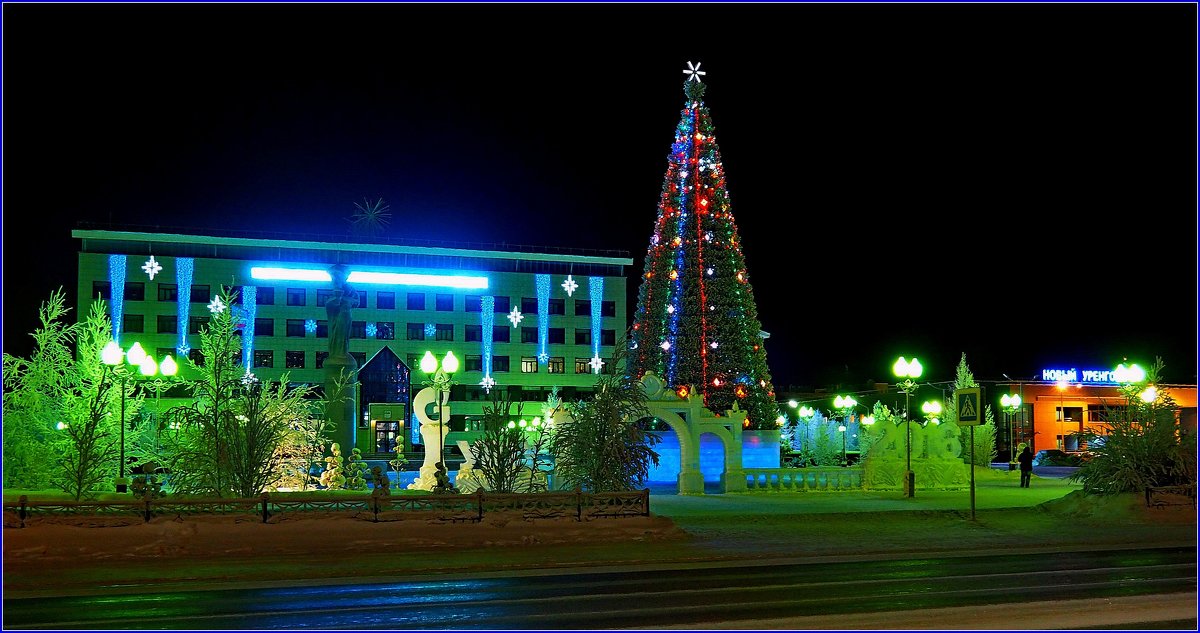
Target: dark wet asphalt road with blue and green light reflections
<point x="730" y="595"/>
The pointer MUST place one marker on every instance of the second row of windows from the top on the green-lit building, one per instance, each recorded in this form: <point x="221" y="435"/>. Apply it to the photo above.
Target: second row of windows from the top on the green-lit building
<point x="169" y="324"/>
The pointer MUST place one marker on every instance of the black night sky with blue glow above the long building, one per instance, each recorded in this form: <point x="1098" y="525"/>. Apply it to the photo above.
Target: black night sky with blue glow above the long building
<point x="1011" y="182"/>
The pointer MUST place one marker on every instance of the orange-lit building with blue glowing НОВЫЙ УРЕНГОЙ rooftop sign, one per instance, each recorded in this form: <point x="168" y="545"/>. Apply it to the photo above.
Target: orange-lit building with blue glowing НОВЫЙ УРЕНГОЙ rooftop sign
<point x="1069" y="406"/>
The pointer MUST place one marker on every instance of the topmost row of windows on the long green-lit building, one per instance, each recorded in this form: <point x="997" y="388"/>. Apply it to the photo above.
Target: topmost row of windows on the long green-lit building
<point x="385" y="300"/>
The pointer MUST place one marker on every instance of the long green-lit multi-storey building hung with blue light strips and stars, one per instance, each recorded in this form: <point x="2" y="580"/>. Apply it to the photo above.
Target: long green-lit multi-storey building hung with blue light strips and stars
<point x="555" y="315"/>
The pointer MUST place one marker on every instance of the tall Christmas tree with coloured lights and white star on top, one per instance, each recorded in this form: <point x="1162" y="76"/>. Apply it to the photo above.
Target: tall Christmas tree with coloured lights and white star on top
<point x="697" y="324"/>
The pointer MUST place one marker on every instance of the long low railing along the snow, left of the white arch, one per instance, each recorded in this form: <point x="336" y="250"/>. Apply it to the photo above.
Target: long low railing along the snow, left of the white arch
<point x="580" y="505"/>
